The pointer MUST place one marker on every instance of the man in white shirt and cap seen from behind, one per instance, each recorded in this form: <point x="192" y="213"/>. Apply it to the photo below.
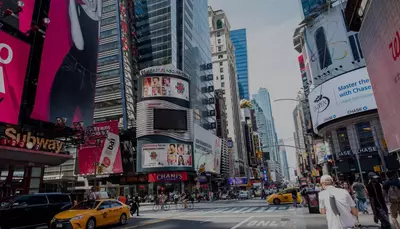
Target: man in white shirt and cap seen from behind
<point x="347" y="217"/>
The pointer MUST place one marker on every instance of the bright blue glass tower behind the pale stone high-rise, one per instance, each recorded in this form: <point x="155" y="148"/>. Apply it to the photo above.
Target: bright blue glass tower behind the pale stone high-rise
<point x="239" y="40"/>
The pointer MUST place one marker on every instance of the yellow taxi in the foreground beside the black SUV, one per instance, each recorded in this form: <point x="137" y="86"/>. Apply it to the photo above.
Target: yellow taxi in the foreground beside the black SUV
<point x="91" y="214"/>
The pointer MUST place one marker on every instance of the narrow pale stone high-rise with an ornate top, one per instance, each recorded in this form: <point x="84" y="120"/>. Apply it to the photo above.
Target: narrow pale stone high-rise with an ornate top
<point x="225" y="78"/>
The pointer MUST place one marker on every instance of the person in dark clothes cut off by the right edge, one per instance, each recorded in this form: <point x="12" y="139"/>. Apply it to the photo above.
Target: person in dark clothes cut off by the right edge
<point x="392" y="189"/>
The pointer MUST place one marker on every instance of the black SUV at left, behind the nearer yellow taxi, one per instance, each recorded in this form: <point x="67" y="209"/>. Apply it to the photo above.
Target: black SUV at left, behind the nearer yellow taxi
<point x="32" y="210"/>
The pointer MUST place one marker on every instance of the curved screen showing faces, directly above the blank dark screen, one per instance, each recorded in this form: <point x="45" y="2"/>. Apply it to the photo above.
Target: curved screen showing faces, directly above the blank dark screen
<point x="163" y="86"/>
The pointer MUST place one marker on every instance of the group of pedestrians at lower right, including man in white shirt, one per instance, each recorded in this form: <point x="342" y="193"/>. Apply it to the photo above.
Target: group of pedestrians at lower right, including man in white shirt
<point x="342" y="203"/>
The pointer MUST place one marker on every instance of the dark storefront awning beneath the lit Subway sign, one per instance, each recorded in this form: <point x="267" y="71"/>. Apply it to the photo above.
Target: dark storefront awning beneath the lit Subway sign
<point x="32" y="156"/>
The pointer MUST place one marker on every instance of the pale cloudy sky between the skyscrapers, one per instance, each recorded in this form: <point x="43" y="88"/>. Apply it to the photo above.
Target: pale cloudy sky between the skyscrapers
<point x="272" y="59"/>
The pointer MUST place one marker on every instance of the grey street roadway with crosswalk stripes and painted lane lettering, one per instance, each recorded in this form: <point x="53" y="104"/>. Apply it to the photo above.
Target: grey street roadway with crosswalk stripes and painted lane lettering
<point x="234" y="215"/>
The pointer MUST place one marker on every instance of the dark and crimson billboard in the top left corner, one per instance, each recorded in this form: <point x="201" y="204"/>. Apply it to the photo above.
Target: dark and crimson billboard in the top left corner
<point x="24" y="20"/>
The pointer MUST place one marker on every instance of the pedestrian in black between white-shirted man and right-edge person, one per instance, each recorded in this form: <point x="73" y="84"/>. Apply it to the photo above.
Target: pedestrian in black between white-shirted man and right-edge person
<point x="378" y="204"/>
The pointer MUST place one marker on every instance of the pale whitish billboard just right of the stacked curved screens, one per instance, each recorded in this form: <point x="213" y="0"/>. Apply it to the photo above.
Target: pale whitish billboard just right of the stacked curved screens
<point x="207" y="150"/>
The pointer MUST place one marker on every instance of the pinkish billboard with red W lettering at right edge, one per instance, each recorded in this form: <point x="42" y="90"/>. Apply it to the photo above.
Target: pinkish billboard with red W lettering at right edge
<point x="380" y="37"/>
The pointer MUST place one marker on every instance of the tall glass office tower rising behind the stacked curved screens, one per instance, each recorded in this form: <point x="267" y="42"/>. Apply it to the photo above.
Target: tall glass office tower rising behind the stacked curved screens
<point x="175" y="32"/>
